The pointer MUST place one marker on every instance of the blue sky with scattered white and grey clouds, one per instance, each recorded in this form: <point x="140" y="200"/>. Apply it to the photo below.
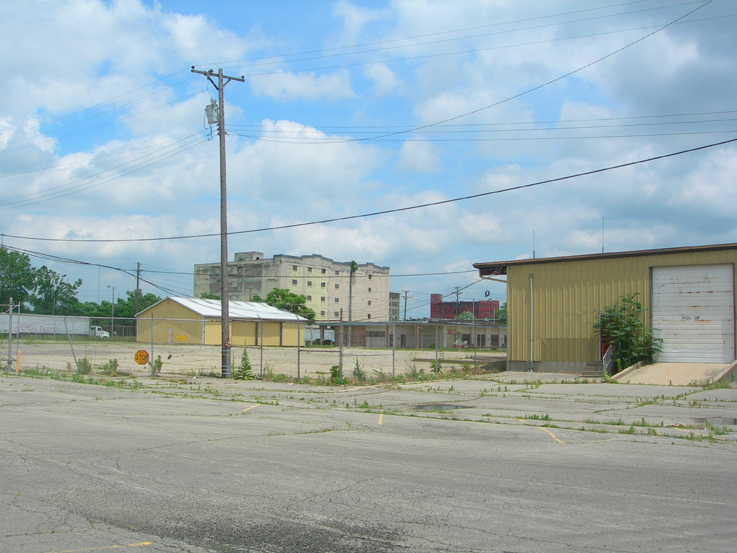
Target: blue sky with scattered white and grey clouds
<point x="349" y="108"/>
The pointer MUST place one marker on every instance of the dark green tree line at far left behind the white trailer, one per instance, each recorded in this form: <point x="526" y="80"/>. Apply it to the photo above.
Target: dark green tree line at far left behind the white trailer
<point x="43" y="291"/>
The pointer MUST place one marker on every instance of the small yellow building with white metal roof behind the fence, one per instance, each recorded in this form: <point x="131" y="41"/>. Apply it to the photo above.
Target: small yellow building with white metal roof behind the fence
<point x="197" y="321"/>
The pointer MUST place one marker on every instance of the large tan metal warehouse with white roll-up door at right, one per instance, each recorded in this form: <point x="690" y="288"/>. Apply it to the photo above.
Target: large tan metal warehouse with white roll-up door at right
<point x="552" y="304"/>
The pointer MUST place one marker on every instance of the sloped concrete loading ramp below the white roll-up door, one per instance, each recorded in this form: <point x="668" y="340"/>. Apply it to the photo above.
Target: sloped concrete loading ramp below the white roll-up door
<point x="677" y="374"/>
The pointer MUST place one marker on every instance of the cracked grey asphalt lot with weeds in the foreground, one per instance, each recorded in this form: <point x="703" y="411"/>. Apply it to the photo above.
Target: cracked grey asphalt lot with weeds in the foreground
<point x="498" y="465"/>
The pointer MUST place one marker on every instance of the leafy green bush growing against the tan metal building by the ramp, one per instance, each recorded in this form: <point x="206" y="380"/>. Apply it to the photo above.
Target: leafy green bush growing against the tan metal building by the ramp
<point x="622" y="326"/>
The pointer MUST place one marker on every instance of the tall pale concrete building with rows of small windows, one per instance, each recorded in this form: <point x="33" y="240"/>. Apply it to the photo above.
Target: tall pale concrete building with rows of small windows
<point x="327" y="284"/>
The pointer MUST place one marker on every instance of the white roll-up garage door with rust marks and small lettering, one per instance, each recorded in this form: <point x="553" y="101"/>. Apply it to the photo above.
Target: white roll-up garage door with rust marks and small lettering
<point x="693" y="312"/>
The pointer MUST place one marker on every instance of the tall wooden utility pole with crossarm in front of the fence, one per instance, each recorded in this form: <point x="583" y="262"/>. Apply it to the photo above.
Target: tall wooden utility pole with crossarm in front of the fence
<point x="224" y="311"/>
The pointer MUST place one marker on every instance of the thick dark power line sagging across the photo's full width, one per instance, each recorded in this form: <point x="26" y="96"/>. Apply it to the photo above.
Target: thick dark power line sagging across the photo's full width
<point x="387" y="211"/>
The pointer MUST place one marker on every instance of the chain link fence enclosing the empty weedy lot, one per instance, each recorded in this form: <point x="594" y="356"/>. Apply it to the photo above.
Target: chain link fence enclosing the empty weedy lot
<point x="358" y="350"/>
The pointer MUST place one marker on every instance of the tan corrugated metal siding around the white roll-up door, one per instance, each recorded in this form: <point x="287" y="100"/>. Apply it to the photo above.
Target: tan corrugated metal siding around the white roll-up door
<point x="567" y="295"/>
